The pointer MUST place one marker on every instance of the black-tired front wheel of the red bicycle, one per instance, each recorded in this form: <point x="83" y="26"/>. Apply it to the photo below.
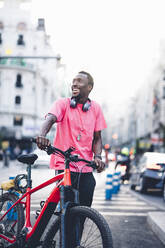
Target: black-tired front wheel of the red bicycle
<point x="96" y="219"/>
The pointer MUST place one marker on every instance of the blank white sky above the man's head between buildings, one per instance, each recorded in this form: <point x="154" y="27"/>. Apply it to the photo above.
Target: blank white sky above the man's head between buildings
<point x="117" y="41"/>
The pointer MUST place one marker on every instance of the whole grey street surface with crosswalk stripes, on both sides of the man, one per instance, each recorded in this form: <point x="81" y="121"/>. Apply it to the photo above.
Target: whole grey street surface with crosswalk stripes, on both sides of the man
<point x="126" y="213"/>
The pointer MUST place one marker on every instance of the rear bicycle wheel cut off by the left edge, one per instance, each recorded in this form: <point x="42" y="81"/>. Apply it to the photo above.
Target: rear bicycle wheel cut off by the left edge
<point x="13" y="222"/>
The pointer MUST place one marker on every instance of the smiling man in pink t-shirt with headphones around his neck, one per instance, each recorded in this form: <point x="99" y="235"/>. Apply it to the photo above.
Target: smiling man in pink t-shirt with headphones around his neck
<point x="79" y="124"/>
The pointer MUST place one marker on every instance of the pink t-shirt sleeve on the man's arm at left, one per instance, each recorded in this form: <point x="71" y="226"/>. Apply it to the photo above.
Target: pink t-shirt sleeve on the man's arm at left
<point x="58" y="109"/>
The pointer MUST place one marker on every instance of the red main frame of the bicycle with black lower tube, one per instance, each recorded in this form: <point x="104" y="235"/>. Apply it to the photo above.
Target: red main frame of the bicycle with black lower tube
<point x="34" y="233"/>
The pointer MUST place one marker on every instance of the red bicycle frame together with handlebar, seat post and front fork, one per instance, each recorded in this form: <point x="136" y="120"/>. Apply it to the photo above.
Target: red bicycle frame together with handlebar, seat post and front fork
<point x="32" y="235"/>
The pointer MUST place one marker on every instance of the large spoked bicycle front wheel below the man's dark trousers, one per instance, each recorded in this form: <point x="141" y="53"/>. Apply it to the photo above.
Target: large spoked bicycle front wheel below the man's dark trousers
<point x="94" y="230"/>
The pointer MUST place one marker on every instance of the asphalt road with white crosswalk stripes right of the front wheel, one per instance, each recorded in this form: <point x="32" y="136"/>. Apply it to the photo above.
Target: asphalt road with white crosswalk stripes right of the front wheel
<point x="127" y="217"/>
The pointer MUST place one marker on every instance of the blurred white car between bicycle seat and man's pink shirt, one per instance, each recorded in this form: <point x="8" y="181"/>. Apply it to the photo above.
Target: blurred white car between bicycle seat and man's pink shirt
<point x="43" y="159"/>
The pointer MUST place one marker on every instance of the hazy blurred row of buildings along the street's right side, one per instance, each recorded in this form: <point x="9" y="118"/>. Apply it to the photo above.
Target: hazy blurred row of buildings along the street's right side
<point x="142" y="124"/>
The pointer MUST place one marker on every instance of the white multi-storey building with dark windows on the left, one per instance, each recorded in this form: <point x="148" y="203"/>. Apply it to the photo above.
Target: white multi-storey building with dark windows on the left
<point x="26" y="84"/>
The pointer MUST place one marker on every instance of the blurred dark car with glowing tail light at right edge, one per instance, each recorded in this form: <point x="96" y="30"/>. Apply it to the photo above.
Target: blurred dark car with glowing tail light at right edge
<point x="146" y="173"/>
